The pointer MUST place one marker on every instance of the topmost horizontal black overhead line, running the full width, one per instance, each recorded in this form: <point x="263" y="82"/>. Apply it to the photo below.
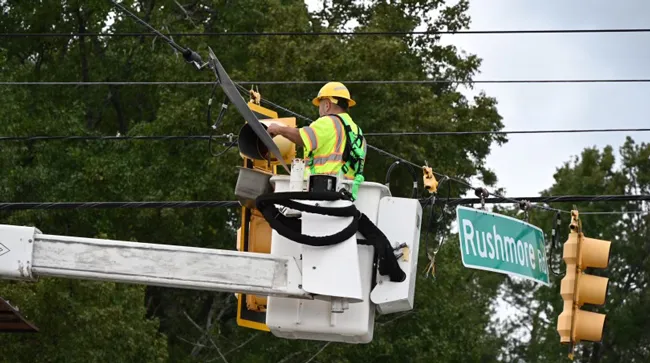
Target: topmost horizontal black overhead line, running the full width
<point x="331" y="33"/>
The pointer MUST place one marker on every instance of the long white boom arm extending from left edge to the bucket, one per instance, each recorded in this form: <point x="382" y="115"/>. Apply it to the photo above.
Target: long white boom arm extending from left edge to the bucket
<point x="26" y="253"/>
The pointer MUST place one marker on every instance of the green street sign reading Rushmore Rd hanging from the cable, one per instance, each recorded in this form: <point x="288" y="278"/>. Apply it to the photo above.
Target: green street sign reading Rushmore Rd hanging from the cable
<point x="494" y="242"/>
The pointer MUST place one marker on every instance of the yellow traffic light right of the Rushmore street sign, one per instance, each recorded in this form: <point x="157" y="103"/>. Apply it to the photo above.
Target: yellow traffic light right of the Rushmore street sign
<point x="578" y="288"/>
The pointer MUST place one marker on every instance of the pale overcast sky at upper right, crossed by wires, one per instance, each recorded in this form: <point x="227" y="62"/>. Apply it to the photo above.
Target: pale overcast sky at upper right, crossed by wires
<point x="526" y="164"/>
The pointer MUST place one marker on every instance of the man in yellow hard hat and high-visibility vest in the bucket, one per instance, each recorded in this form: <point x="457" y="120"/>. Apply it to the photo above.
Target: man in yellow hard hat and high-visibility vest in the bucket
<point x="333" y="143"/>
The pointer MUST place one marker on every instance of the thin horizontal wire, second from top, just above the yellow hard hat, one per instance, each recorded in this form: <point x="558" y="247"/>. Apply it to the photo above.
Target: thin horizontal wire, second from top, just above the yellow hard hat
<point x="299" y="82"/>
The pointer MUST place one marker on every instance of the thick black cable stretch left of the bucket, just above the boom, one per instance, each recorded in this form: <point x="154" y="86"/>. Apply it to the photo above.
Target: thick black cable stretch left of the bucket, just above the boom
<point x="116" y="205"/>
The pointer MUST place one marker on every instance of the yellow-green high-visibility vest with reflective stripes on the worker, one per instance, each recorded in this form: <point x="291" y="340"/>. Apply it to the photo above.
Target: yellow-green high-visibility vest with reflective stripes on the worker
<point x="325" y="141"/>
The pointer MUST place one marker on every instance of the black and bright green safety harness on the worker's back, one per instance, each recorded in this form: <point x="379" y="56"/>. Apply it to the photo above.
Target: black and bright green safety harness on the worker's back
<point x="353" y="155"/>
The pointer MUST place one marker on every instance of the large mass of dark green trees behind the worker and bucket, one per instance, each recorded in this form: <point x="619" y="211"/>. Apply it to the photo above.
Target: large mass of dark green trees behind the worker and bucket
<point x="452" y="312"/>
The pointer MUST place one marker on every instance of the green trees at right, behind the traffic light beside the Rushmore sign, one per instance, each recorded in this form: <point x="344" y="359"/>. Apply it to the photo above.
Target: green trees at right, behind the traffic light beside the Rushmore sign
<point x="625" y="337"/>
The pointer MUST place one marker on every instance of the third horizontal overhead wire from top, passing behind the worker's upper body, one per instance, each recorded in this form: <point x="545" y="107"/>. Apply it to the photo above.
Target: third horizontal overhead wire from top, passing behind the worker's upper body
<point x="373" y="134"/>
